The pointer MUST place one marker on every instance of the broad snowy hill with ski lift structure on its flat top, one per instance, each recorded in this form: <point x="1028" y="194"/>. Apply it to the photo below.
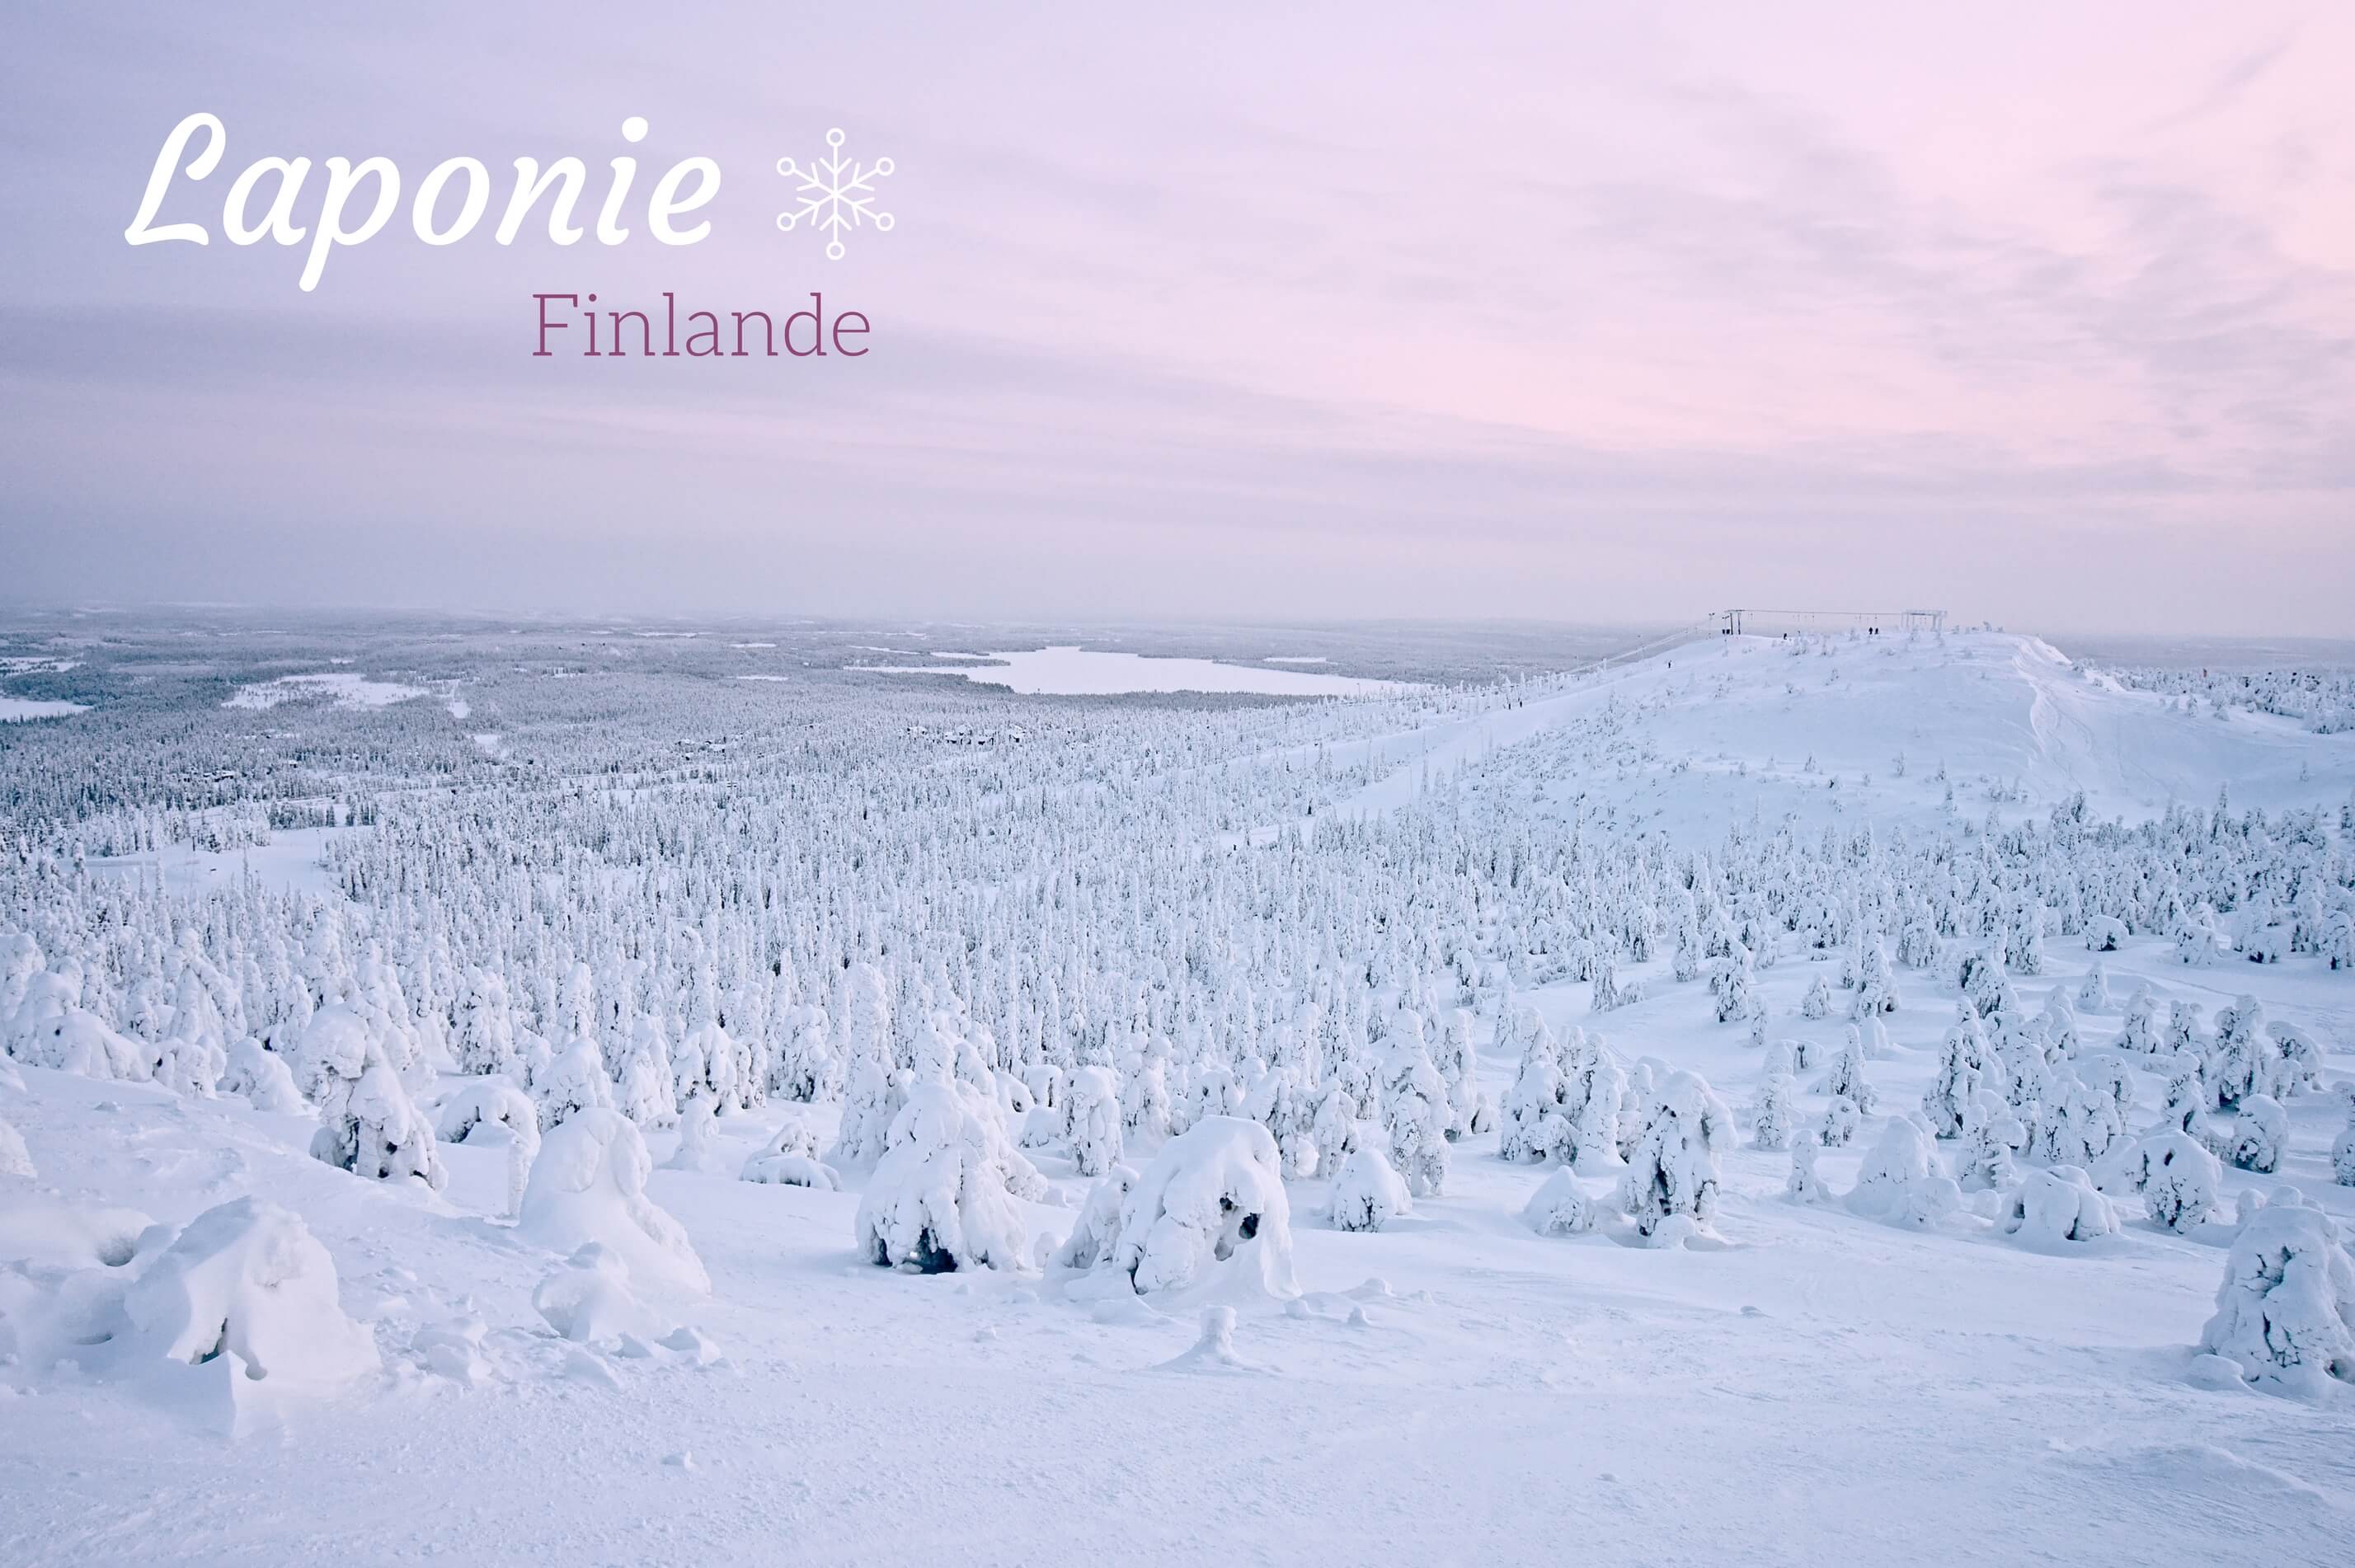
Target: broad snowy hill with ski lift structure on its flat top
<point x="1819" y="724"/>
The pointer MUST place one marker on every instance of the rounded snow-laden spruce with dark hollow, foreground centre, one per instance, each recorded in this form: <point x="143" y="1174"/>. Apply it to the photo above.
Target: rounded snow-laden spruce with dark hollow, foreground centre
<point x="1212" y="1197"/>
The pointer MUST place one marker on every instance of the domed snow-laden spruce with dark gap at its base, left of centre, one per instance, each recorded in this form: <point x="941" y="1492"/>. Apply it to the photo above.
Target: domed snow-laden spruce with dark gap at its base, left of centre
<point x="948" y="1190"/>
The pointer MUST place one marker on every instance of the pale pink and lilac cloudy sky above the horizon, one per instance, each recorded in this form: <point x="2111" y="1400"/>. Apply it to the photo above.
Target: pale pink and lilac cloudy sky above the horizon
<point x="2043" y="314"/>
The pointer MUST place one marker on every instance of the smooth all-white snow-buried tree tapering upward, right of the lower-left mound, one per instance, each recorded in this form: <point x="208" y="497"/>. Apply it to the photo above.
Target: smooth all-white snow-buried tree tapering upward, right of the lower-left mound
<point x="590" y="1185"/>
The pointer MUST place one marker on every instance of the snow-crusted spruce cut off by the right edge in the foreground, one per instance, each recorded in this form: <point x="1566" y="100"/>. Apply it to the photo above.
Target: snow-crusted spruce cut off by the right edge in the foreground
<point x="2286" y="1313"/>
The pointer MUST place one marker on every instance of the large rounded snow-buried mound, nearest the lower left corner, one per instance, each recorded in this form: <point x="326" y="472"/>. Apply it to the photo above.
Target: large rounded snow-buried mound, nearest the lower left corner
<point x="248" y="1282"/>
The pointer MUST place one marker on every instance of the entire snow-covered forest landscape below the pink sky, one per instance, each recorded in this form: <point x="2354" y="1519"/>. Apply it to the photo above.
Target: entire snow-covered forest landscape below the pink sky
<point x="1774" y="1098"/>
